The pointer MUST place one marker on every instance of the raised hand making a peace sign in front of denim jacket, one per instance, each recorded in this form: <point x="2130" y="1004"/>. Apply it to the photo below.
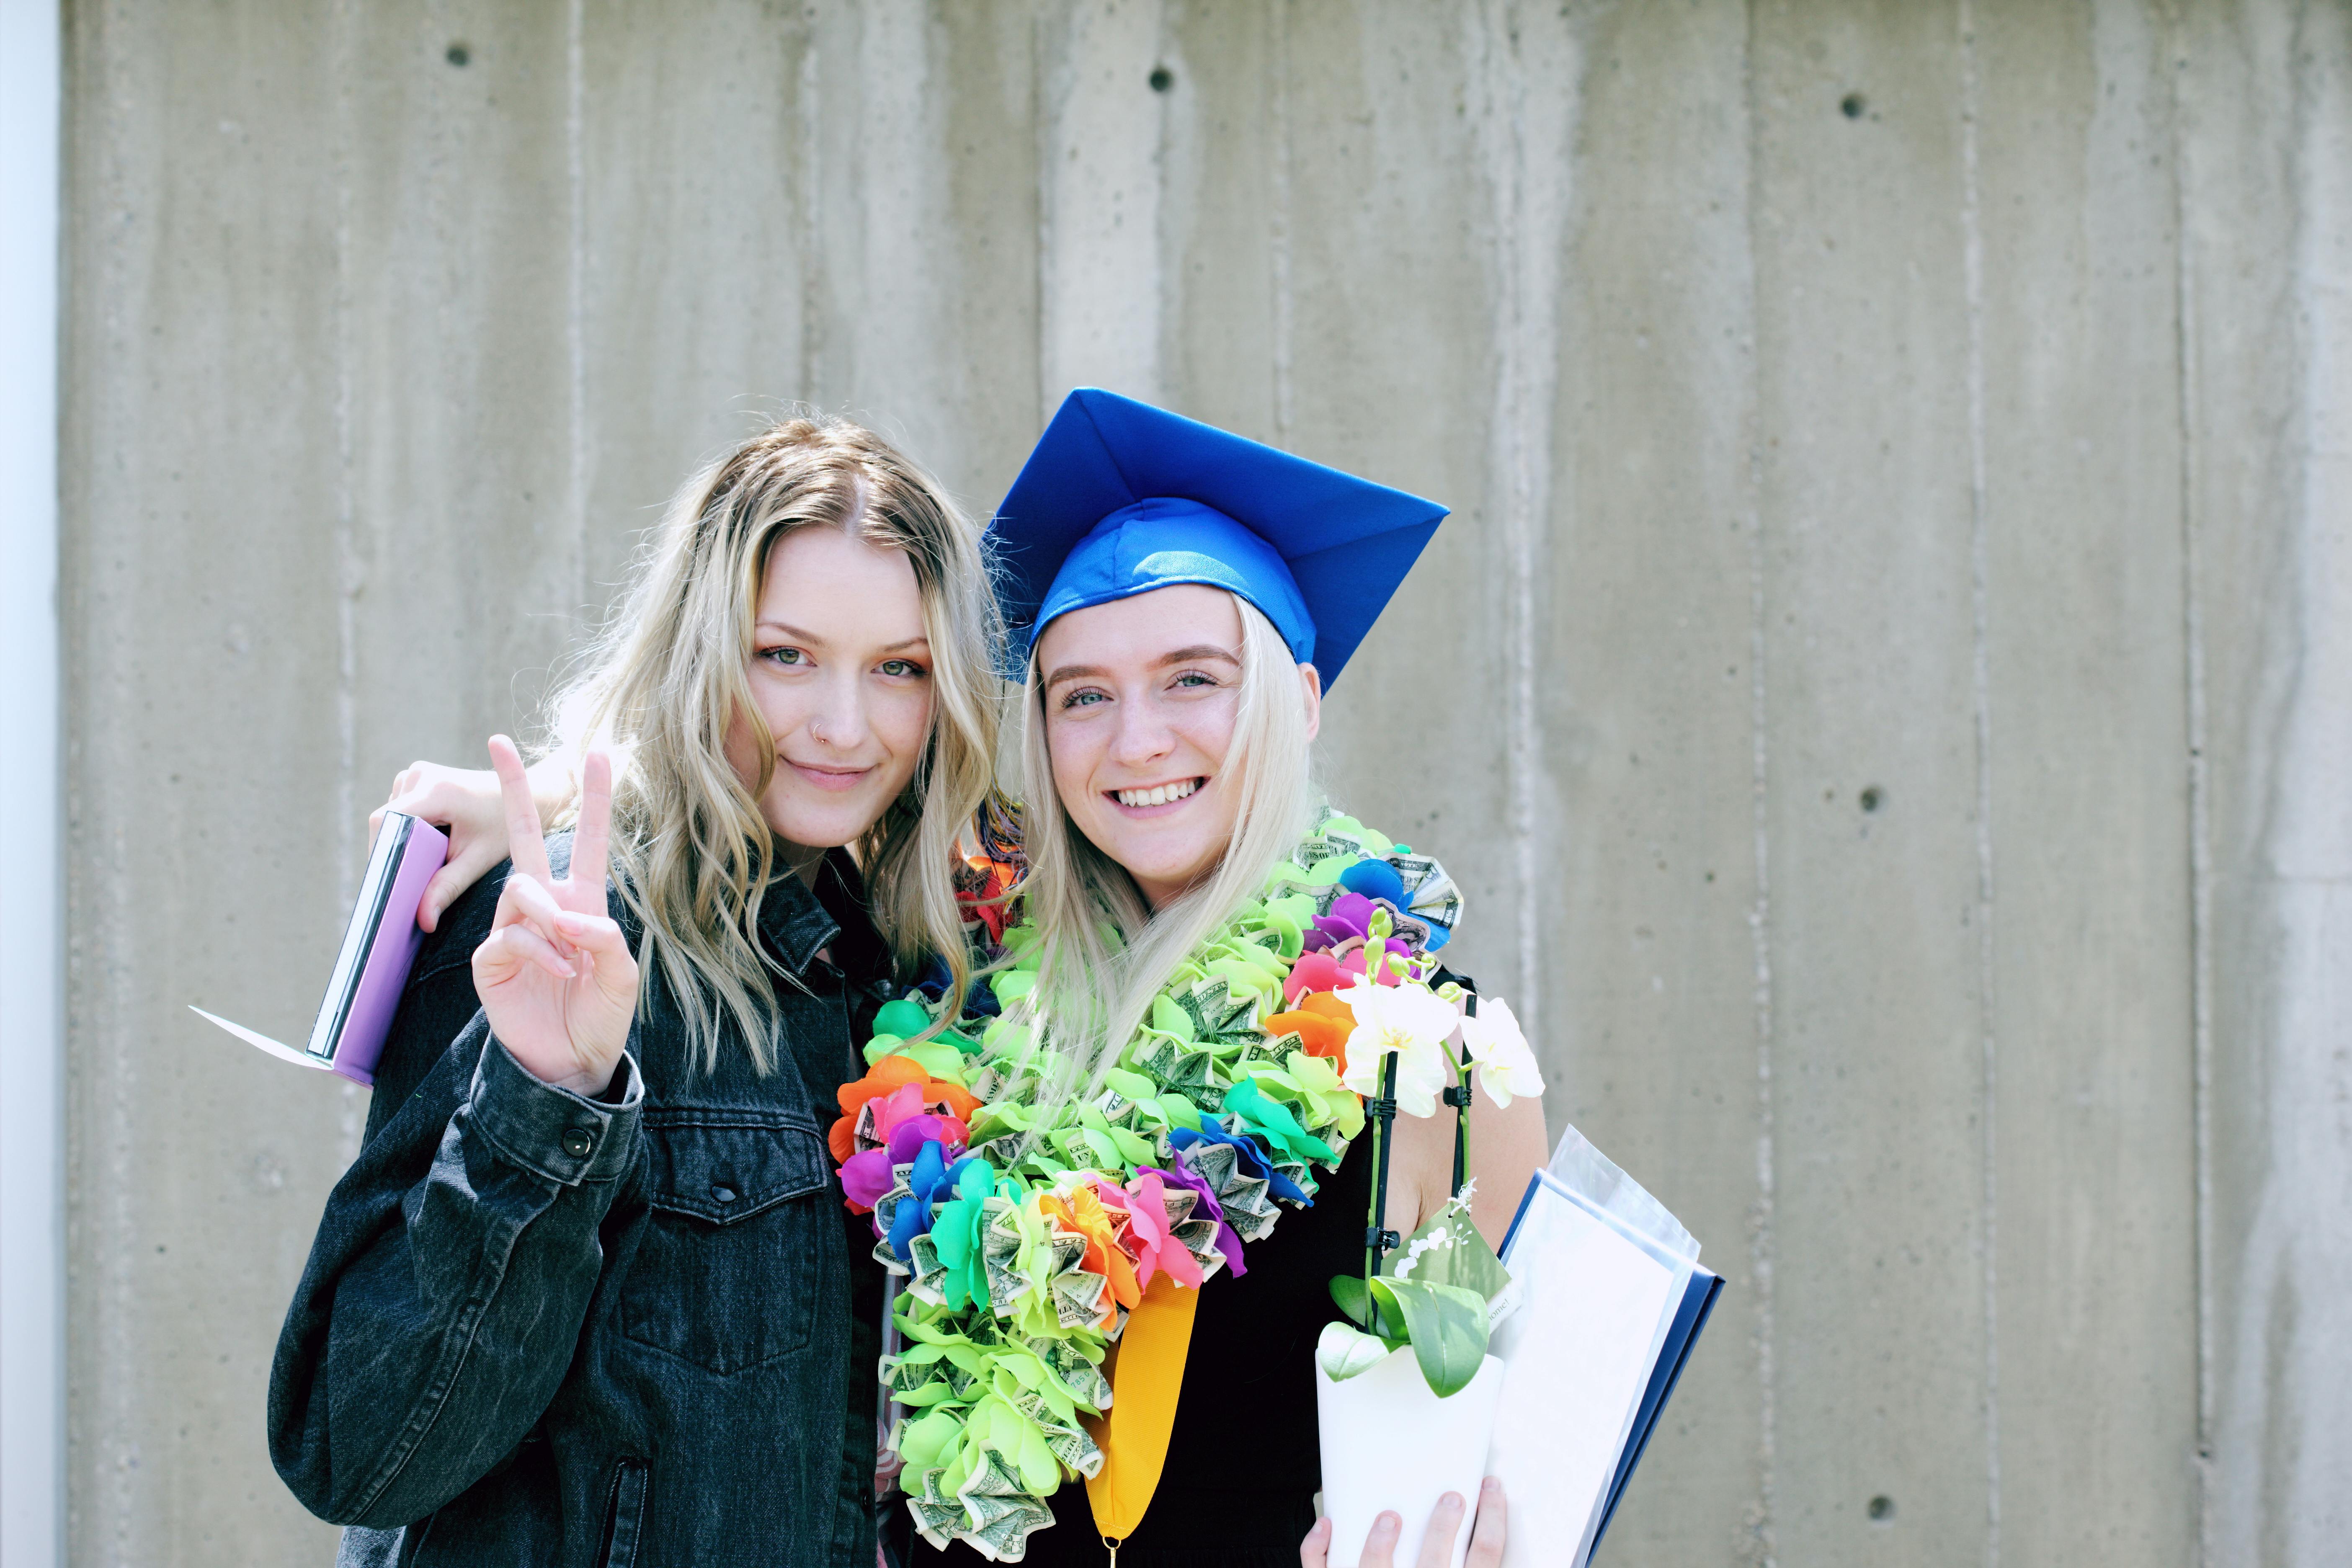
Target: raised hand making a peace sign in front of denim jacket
<point x="556" y="974"/>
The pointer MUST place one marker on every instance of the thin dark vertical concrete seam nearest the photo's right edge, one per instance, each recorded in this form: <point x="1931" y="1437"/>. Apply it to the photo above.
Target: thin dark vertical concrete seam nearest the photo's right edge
<point x="2200" y="822"/>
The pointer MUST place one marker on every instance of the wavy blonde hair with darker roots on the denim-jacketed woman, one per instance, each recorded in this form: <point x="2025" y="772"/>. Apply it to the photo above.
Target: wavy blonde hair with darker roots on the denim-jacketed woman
<point x="669" y="678"/>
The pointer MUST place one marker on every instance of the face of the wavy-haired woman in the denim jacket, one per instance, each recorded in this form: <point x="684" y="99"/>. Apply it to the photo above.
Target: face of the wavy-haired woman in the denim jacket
<point x="841" y="674"/>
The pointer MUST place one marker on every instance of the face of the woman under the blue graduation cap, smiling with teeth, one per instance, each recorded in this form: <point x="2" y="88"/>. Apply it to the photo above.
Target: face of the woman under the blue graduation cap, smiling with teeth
<point x="1140" y="716"/>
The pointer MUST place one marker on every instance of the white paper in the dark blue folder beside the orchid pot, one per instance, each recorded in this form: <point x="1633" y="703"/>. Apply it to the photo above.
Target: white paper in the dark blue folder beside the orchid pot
<point x="1577" y="1358"/>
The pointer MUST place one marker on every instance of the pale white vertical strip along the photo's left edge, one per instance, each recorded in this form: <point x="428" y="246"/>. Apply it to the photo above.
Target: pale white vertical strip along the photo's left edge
<point x="32" y="798"/>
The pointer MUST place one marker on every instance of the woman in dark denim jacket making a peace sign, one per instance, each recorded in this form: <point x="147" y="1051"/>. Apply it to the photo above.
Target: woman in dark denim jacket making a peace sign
<point x="592" y="1294"/>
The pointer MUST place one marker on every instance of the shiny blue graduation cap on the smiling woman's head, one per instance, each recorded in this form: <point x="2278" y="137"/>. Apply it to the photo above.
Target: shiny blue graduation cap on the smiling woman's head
<point x="1123" y="497"/>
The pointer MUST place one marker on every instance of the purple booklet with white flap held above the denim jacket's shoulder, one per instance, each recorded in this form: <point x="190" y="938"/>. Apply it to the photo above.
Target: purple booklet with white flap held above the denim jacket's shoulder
<point x="373" y="967"/>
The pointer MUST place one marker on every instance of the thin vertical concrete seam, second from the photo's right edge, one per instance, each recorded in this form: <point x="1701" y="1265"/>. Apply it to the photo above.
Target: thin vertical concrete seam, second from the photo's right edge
<point x="1982" y="678"/>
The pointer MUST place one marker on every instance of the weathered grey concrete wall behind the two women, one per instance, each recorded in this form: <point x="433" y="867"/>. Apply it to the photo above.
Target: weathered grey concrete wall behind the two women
<point x="1887" y="685"/>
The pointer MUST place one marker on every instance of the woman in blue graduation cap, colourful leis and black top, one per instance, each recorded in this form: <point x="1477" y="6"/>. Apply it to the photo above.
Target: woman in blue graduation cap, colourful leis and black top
<point x="1184" y="1021"/>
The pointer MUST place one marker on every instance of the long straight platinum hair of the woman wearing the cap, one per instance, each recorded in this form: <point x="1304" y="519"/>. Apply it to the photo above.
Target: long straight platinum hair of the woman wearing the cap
<point x="1107" y="953"/>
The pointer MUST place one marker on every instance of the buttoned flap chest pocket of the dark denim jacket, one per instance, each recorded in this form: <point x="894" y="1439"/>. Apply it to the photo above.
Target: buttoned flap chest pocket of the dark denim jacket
<point x="733" y="1257"/>
